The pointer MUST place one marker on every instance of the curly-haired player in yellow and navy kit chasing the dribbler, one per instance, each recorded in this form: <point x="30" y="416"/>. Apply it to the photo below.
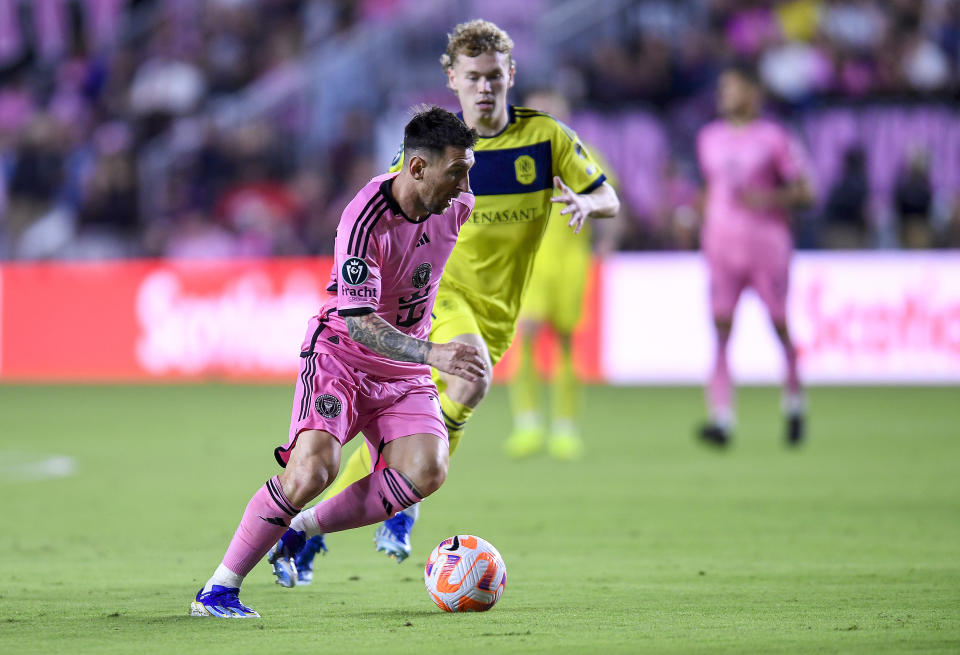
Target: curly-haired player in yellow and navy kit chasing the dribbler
<point x="525" y="161"/>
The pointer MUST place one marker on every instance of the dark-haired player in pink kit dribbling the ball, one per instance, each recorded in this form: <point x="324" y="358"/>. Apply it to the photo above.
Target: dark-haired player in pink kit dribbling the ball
<point x="365" y="362"/>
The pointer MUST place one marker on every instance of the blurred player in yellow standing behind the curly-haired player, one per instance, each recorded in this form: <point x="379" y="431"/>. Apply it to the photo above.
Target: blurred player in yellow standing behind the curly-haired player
<point x="554" y="299"/>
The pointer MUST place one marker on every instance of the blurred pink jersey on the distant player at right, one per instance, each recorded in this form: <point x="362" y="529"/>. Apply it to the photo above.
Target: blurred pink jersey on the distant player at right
<point x="758" y="156"/>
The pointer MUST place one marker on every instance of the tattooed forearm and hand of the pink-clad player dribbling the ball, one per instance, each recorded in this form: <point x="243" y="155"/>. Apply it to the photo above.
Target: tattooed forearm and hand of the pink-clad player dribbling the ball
<point x="461" y="359"/>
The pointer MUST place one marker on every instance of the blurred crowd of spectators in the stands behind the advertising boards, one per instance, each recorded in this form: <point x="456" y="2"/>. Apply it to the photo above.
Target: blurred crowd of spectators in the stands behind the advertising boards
<point x="240" y="127"/>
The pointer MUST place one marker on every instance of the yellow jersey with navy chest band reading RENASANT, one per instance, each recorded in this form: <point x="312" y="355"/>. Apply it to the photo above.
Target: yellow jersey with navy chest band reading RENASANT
<point x="512" y="180"/>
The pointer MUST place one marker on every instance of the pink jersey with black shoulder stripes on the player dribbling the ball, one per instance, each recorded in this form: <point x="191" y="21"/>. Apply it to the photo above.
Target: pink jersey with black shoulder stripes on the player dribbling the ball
<point x="391" y="264"/>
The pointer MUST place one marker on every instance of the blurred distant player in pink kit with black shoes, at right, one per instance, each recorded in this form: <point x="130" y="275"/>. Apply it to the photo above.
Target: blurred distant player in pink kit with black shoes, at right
<point x="755" y="175"/>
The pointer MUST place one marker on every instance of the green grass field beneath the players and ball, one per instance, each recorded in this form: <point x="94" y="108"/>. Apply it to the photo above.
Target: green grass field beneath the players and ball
<point x="650" y="544"/>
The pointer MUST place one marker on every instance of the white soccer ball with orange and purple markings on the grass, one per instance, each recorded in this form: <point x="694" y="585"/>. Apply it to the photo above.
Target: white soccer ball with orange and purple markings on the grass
<point x="465" y="574"/>
